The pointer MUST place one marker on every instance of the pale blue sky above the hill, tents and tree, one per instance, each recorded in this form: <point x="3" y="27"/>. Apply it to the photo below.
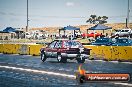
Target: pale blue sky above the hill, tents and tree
<point x="60" y="13"/>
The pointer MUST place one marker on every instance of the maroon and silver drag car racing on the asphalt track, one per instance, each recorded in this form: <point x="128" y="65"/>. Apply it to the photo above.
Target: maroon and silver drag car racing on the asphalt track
<point x="65" y="49"/>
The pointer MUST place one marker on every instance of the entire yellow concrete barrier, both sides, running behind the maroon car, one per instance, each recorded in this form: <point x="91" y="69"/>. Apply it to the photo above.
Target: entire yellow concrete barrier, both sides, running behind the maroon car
<point x="119" y="53"/>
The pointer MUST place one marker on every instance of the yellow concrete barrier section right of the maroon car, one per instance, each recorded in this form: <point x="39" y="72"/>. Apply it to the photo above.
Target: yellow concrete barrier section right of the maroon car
<point x="110" y="53"/>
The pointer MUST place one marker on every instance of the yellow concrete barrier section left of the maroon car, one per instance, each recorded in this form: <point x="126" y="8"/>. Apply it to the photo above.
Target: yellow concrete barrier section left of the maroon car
<point x="22" y="49"/>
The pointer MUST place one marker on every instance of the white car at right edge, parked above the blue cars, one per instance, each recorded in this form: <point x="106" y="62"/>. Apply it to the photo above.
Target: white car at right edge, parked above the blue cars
<point x="123" y="32"/>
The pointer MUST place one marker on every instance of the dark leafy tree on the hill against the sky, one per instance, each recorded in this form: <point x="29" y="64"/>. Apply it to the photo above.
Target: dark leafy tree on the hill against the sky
<point x="97" y="20"/>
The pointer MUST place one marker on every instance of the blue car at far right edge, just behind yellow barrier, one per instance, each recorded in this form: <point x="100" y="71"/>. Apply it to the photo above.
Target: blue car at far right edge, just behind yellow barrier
<point x="123" y="42"/>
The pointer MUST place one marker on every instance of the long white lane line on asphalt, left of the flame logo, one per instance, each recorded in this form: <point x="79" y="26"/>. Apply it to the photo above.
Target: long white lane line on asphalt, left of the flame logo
<point x="39" y="71"/>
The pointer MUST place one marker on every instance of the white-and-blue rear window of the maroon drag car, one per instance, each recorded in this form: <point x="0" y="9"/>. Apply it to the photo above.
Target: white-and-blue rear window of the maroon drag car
<point x="72" y="44"/>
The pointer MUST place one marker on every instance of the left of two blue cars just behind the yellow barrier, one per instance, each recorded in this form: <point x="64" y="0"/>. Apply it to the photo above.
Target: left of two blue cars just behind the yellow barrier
<point x="103" y="41"/>
